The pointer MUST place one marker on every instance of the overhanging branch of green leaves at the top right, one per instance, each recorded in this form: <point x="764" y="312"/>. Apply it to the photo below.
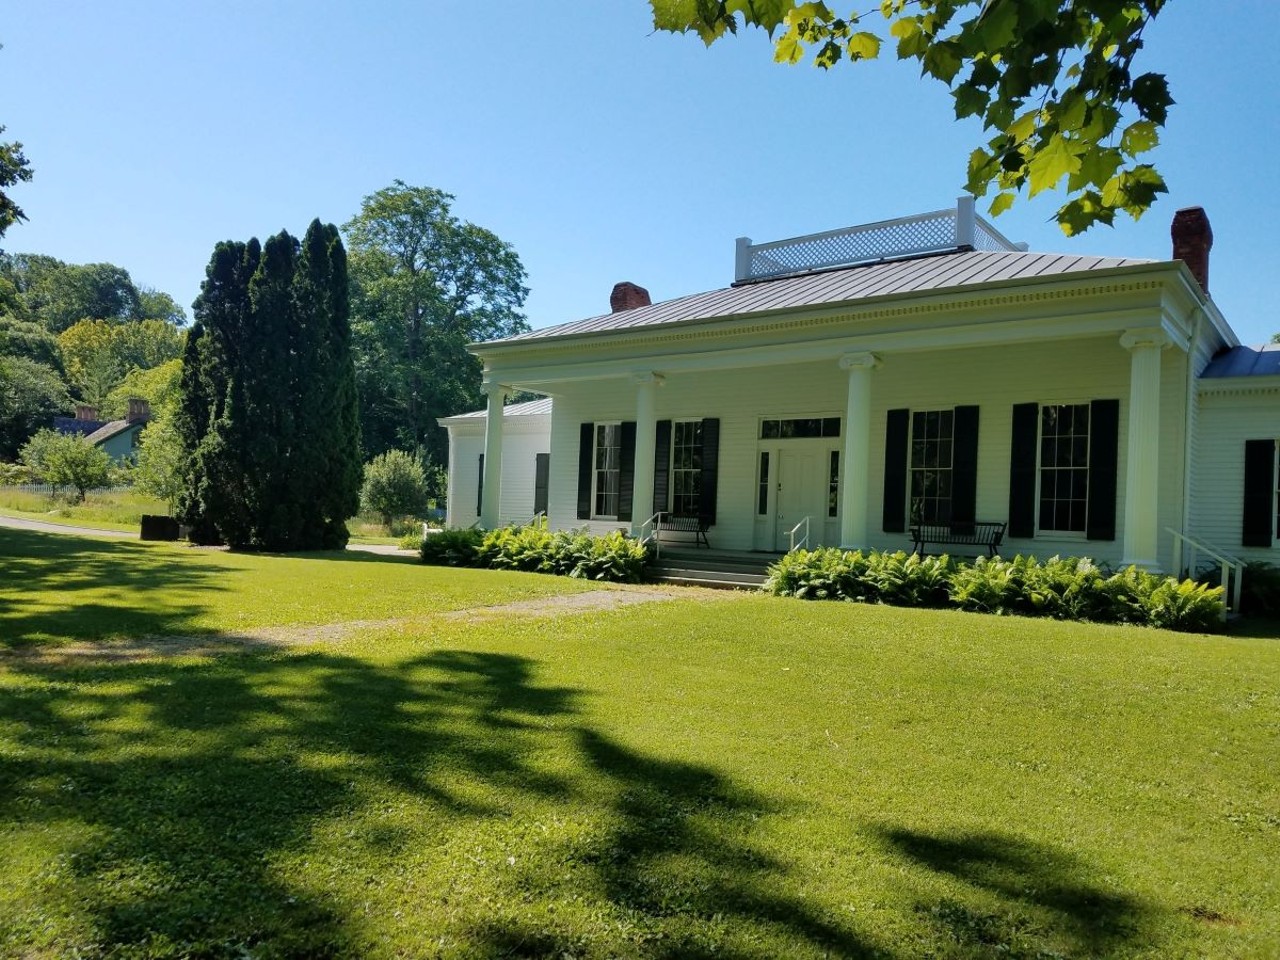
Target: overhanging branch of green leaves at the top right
<point x="1053" y="81"/>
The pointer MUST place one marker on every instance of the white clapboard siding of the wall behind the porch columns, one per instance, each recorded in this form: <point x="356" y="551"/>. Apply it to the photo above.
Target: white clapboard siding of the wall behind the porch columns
<point x="993" y="378"/>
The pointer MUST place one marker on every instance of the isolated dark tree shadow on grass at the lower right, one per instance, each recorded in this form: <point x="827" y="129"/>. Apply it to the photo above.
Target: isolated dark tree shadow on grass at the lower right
<point x="1046" y="902"/>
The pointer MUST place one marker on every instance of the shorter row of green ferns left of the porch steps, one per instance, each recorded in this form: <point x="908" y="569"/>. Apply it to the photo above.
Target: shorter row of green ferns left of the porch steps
<point x="536" y="550"/>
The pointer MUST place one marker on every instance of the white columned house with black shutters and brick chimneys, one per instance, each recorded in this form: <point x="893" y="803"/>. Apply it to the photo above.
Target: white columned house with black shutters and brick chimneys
<point x="927" y="369"/>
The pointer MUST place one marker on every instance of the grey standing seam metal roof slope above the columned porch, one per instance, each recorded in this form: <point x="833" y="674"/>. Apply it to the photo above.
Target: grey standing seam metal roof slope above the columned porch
<point x="839" y="286"/>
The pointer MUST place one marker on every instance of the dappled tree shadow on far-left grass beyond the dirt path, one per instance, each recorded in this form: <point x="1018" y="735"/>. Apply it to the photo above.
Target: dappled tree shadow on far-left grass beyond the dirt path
<point x="139" y="591"/>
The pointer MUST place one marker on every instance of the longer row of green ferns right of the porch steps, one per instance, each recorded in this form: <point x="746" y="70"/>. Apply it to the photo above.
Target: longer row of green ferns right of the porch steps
<point x="1066" y="589"/>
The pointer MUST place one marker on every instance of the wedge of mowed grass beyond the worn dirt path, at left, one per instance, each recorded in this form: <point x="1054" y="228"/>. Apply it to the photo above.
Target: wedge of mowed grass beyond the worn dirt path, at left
<point x="57" y="588"/>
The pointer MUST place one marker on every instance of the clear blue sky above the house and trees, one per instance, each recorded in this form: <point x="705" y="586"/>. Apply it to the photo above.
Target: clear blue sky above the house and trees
<point x="601" y="150"/>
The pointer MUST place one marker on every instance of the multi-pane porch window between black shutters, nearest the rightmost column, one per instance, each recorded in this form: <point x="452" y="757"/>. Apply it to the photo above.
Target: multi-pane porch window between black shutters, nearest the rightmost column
<point x="1064" y="468"/>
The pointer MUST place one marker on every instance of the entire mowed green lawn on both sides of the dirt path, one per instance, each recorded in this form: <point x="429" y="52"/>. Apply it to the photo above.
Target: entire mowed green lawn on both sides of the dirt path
<point x="748" y="778"/>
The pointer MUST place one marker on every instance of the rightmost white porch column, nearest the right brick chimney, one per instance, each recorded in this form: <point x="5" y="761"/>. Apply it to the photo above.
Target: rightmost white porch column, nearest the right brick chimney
<point x="1142" y="468"/>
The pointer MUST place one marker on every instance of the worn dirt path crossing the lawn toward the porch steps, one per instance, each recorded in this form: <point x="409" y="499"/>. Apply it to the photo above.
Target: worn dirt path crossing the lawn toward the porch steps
<point x="212" y="644"/>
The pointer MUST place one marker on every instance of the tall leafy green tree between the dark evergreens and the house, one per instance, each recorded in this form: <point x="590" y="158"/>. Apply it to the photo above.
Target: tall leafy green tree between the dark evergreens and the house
<point x="424" y="285"/>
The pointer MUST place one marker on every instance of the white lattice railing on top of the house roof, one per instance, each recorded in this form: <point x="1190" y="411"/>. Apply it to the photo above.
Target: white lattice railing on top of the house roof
<point x="939" y="232"/>
